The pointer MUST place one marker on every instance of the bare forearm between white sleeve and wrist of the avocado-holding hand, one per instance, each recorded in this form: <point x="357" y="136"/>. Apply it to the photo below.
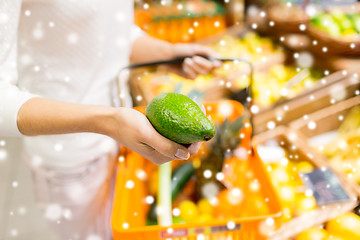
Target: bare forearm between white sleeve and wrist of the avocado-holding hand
<point x="40" y="116"/>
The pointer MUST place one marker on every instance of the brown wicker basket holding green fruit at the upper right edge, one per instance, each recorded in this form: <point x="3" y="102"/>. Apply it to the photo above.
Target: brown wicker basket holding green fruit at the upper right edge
<point x="327" y="45"/>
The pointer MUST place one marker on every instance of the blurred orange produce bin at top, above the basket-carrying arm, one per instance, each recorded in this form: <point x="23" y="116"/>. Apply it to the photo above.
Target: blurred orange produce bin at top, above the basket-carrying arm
<point x="182" y="21"/>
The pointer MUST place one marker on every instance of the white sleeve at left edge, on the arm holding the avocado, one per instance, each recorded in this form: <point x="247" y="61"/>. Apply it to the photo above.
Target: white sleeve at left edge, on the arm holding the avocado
<point x="11" y="98"/>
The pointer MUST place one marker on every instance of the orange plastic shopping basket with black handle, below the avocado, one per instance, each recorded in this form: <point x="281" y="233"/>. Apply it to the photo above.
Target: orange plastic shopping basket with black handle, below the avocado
<point x="130" y="209"/>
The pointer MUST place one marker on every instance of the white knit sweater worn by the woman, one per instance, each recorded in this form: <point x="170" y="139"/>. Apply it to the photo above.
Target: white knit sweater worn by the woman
<point x="69" y="50"/>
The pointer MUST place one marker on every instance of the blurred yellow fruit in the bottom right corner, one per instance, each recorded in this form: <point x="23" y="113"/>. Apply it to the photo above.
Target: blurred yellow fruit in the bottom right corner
<point x="345" y="226"/>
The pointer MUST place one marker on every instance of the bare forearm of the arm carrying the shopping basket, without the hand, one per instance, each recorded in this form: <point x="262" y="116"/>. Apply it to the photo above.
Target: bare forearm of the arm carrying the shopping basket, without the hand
<point x="147" y="49"/>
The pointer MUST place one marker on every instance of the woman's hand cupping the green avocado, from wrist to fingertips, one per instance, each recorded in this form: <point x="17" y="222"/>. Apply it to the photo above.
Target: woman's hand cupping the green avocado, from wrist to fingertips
<point x="133" y="130"/>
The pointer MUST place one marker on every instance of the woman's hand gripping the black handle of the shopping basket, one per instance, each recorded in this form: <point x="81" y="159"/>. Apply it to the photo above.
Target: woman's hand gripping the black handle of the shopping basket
<point x="197" y="64"/>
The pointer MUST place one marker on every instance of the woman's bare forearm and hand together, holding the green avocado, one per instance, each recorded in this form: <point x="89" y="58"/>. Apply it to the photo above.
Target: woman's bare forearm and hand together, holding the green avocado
<point x="40" y="116"/>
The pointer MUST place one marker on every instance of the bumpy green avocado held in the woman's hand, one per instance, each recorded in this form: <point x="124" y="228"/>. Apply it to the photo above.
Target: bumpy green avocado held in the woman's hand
<point x="180" y="119"/>
